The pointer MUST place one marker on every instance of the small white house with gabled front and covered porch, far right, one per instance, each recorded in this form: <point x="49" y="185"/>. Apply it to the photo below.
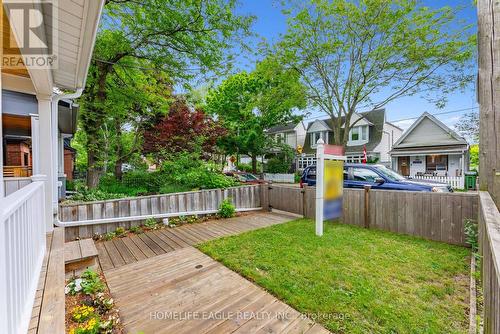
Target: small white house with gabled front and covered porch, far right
<point x="430" y="148"/>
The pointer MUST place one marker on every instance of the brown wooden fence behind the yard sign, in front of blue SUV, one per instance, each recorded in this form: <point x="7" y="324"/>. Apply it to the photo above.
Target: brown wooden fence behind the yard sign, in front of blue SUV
<point x="434" y="216"/>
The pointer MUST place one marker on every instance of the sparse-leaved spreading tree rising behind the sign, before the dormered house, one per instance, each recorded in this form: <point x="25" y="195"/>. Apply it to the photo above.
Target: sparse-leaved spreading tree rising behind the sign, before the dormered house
<point x="367" y="53"/>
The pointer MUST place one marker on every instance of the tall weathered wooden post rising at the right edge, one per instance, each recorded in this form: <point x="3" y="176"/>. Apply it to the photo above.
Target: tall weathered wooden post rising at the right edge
<point x="489" y="97"/>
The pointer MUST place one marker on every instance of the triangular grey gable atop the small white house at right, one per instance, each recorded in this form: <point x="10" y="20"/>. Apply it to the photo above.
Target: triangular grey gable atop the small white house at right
<point x="448" y="136"/>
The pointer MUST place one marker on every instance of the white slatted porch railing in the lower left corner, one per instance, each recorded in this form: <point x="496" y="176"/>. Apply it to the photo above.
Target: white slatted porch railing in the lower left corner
<point x="22" y="248"/>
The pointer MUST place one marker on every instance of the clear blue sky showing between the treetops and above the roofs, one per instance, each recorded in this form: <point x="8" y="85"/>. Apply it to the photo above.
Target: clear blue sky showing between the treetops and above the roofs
<point x="270" y="23"/>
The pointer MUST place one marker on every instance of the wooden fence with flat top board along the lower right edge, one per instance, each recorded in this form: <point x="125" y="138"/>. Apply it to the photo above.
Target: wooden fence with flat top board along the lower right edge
<point x="489" y="247"/>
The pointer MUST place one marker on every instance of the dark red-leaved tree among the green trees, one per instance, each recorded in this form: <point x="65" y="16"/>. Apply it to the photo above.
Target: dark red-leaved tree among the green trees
<point x="182" y="130"/>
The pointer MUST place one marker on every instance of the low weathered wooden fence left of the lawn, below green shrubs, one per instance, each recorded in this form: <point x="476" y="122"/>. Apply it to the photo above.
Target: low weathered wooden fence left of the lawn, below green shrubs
<point x="245" y="197"/>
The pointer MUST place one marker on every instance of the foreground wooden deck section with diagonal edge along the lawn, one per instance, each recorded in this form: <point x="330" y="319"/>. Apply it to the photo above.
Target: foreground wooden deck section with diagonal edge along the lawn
<point x="185" y="291"/>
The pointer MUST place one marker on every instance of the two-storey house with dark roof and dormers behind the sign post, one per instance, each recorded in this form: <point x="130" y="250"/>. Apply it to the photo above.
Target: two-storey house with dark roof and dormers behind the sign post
<point x="371" y="130"/>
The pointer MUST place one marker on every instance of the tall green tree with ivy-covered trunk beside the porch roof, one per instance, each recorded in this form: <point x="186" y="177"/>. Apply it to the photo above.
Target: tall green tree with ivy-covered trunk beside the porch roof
<point x="177" y="37"/>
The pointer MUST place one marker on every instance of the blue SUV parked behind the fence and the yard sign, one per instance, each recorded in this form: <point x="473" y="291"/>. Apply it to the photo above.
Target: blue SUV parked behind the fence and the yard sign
<point x="378" y="177"/>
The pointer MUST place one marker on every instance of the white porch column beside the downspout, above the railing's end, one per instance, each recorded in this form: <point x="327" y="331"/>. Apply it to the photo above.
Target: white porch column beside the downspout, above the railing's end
<point x="46" y="151"/>
